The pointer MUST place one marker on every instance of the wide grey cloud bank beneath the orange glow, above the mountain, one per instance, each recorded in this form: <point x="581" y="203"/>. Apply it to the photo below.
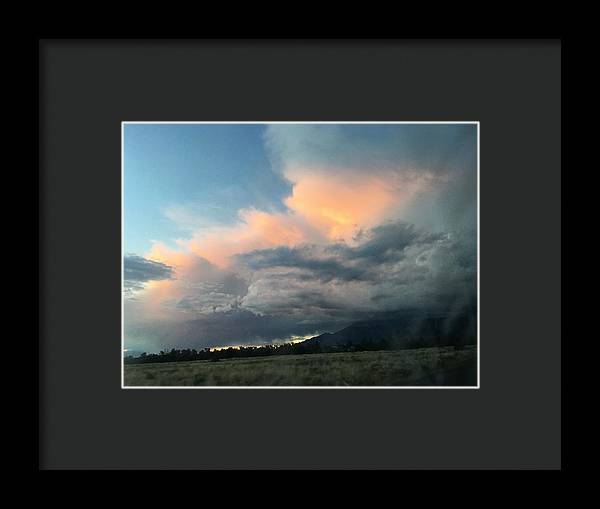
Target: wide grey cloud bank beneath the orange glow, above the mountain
<point x="279" y="292"/>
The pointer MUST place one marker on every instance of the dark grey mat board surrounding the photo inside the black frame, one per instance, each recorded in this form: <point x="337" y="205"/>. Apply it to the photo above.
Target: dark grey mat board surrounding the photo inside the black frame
<point x="88" y="86"/>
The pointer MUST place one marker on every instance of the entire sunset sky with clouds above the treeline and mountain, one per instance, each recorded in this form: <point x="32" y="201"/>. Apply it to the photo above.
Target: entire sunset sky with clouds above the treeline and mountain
<point x="247" y="234"/>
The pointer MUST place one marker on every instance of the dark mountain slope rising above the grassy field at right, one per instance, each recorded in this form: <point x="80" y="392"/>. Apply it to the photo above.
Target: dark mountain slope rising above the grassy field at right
<point x="407" y="331"/>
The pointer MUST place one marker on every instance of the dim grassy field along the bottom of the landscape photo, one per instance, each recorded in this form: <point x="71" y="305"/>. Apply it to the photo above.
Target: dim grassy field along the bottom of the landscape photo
<point x="424" y="366"/>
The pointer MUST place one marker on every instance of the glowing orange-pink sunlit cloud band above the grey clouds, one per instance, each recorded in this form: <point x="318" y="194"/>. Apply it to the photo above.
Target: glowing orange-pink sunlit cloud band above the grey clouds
<point x="325" y="205"/>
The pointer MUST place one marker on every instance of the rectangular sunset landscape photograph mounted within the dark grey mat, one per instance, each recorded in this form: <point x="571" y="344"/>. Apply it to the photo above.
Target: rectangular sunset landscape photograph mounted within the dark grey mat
<point x="300" y="255"/>
